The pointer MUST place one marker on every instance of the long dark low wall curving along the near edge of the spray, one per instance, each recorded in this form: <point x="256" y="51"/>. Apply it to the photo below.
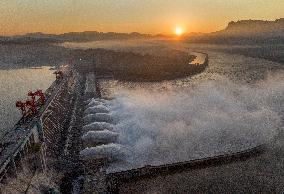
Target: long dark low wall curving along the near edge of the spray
<point x="116" y="179"/>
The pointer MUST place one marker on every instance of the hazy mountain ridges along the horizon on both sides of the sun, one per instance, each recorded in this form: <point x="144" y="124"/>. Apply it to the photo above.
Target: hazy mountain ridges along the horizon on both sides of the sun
<point x="242" y="32"/>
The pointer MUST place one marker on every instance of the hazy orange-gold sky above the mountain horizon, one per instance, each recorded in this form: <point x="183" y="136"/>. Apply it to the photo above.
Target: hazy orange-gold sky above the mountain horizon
<point x="147" y="16"/>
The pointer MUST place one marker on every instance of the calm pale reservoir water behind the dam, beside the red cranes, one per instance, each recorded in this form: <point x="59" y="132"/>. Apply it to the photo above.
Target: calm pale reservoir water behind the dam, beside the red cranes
<point x="14" y="86"/>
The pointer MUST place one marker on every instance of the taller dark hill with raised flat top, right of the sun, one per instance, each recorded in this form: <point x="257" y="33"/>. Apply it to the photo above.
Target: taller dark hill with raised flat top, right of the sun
<point x="244" y="32"/>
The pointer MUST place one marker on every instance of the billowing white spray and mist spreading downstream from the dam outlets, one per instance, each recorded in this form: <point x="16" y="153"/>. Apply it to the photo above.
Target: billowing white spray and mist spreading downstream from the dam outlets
<point x="212" y="118"/>
